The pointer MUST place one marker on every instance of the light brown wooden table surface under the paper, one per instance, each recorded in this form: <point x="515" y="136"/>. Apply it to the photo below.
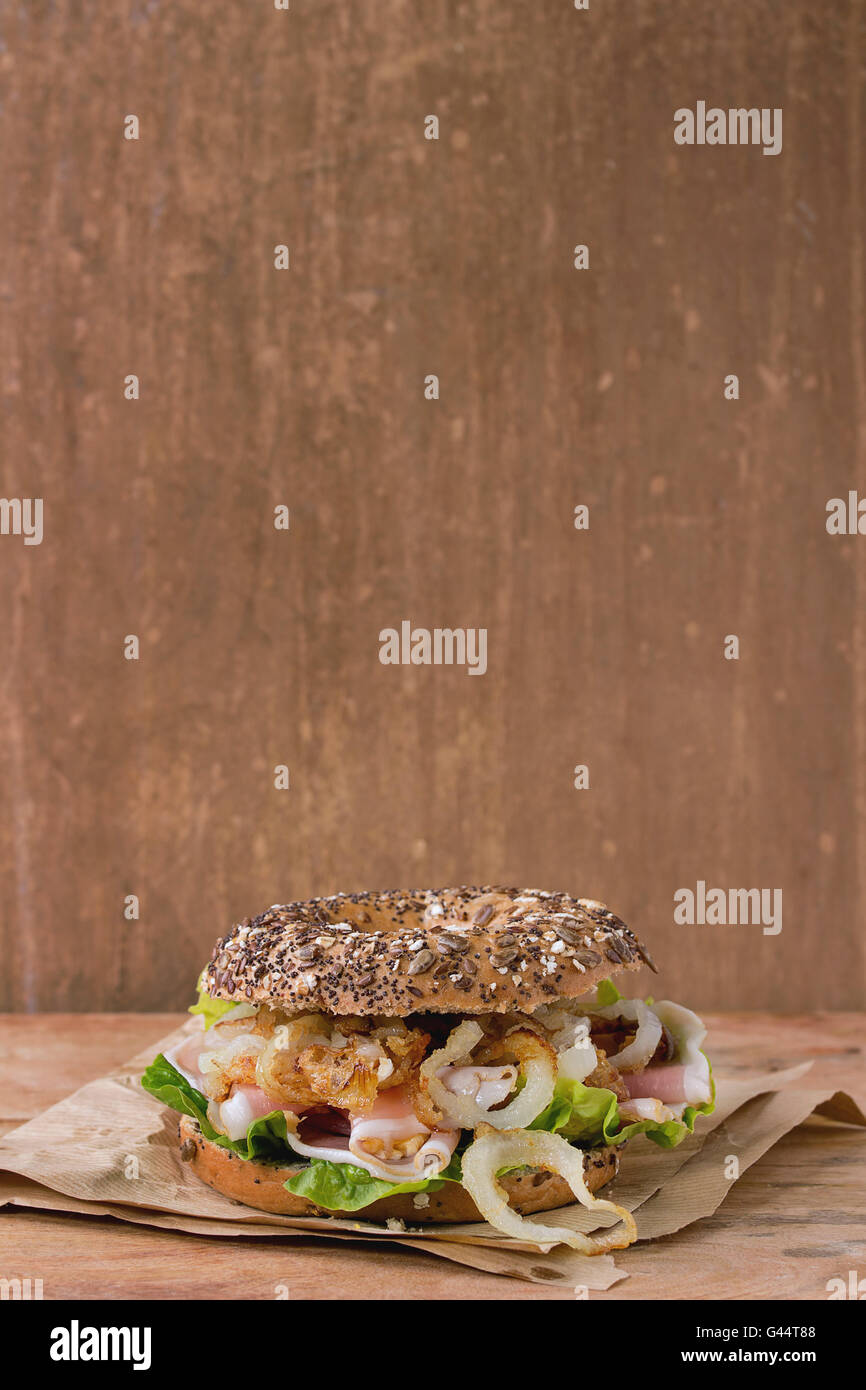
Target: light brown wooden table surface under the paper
<point x="790" y="1224"/>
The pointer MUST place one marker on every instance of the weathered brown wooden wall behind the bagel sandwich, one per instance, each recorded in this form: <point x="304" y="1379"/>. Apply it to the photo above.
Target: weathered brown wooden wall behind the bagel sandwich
<point x="307" y="389"/>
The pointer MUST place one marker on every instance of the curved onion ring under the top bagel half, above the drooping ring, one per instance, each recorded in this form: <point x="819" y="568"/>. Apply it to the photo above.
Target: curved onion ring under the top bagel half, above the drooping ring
<point x="540" y="1072"/>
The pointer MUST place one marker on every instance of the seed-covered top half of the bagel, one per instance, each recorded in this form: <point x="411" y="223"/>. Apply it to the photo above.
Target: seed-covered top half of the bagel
<point x="447" y="951"/>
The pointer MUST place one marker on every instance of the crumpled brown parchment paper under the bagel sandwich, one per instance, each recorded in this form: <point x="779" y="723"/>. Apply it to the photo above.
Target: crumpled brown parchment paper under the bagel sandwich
<point x="112" y="1150"/>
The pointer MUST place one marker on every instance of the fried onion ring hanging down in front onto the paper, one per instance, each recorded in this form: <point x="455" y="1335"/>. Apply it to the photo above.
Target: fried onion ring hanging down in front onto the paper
<point x="536" y="1149"/>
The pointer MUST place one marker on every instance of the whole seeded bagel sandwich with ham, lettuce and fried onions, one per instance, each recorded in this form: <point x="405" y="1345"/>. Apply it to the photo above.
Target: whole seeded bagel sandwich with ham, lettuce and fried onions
<point x="432" y="1057"/>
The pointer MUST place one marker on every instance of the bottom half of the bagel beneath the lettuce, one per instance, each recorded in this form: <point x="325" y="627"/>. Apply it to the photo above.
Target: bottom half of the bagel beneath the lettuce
<point x="259" y="1184"/>
